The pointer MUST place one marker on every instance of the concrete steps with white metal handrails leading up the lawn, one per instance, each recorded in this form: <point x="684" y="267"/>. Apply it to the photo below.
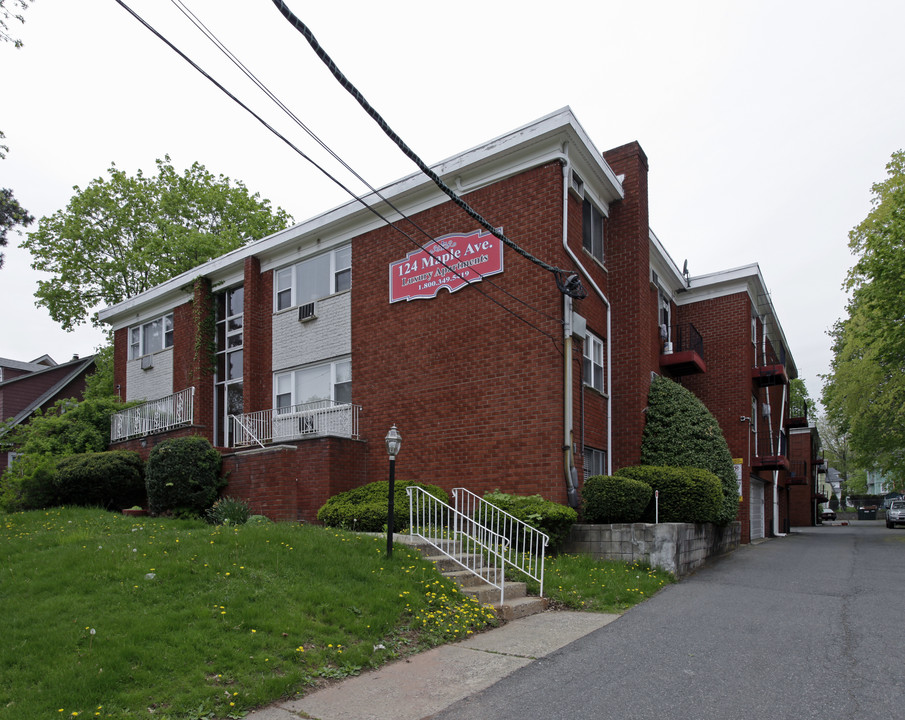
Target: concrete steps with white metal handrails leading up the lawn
<point x="474" y="543"/>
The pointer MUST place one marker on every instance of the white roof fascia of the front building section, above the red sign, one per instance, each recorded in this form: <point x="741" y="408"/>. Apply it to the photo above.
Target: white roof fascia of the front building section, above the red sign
<point x="535" y="143"/>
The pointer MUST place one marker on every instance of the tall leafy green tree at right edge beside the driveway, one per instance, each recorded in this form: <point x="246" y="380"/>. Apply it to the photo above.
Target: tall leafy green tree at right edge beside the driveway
<point x="864" y="394"/>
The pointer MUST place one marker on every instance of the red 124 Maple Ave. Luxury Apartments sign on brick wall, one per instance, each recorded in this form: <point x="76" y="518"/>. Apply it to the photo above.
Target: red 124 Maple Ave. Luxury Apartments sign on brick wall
<point x="450" y="262"/>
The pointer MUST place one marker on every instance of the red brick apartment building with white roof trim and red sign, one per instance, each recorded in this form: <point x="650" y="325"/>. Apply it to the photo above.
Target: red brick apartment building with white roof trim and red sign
<point x="296" y="353"/>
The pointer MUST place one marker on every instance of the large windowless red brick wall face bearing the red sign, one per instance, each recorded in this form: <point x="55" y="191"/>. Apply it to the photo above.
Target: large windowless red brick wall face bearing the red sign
<point x="475" y="392"/>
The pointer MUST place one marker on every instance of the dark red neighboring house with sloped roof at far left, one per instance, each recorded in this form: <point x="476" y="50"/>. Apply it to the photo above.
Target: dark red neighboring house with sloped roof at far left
<point x="29" y="386"/>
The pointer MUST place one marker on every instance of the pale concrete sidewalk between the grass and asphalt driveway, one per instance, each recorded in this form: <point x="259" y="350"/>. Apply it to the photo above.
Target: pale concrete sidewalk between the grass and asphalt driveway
<point x="424" y="684"/>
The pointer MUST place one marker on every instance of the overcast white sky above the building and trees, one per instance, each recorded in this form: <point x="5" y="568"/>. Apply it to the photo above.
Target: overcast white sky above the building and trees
<point x="765" y="123"/>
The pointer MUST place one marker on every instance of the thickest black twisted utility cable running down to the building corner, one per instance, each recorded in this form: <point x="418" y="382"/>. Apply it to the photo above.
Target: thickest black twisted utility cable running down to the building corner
<point x="354" y="92"/>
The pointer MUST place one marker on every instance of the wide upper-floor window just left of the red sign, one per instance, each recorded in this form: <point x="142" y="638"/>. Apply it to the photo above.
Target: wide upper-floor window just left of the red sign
<point x="314" y="278"/>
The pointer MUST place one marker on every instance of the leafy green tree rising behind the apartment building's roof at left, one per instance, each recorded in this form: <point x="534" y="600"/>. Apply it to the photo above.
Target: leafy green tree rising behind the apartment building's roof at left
<point x="123" y="235"/>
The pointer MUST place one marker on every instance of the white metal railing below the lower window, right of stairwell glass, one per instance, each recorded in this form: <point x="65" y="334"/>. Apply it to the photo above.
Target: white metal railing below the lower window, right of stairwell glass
<point x="294" y="423"/>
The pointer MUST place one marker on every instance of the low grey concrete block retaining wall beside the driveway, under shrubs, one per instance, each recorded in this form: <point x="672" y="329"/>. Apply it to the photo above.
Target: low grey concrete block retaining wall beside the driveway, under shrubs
<point x="679" y="548"/>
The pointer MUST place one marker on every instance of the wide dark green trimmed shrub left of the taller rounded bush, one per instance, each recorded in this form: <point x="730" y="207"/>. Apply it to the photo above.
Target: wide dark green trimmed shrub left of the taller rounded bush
<point x="111" y="480"/>
